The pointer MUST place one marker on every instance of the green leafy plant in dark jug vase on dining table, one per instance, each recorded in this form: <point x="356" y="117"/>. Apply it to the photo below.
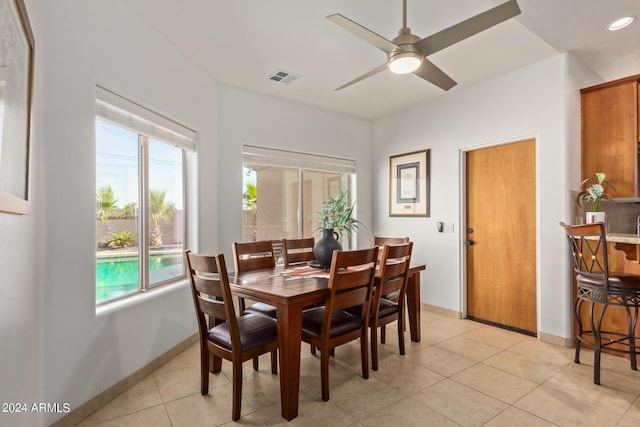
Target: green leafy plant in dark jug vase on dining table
<point x="336" y="219"/>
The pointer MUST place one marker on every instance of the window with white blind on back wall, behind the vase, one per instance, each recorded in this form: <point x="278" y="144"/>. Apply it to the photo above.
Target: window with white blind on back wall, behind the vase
<point x="283" y="191"/>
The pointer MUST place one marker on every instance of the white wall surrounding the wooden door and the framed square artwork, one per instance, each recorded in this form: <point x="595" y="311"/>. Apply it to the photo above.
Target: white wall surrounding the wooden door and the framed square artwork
<point x="536" y="101"/>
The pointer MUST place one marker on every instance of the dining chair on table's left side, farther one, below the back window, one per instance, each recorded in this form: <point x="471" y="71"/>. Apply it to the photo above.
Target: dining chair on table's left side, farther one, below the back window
<point x="251" y="256"/>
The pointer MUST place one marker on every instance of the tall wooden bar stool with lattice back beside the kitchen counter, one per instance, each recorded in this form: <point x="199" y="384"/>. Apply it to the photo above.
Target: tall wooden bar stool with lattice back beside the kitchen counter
<point x="601" y="288"/>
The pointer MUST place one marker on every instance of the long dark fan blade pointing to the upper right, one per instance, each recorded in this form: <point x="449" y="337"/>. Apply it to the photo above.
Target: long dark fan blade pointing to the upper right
<point x="467" y="28"/>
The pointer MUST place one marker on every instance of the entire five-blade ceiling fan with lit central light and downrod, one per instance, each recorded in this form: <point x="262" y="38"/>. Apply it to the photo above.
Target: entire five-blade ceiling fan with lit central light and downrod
<point x="407" y="53"/>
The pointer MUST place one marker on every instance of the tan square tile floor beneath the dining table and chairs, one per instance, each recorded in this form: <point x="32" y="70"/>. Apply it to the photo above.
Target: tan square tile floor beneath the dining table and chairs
<point x="461" y="373"/>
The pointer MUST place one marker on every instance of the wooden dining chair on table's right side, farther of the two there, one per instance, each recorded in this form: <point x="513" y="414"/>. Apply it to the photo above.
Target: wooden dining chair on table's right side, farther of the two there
<point x="391" y="278"/>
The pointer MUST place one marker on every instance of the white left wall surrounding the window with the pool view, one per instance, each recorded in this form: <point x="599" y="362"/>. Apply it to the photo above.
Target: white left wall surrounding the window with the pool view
<point x="104" y="42"/>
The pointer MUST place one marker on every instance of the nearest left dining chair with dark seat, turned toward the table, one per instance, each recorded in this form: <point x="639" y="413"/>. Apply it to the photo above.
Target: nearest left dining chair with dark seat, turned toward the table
<point x="231" y="337"/>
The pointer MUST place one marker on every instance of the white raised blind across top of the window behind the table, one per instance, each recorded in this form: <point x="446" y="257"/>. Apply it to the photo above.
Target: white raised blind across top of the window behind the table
<point x="253" y="155"/>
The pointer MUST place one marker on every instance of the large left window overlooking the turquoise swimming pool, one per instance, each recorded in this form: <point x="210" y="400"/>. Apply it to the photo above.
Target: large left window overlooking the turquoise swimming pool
<point x="140" y="198"/>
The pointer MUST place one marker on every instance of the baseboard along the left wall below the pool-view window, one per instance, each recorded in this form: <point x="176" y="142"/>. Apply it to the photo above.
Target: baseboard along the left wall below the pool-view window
<point x="97" y="402"/>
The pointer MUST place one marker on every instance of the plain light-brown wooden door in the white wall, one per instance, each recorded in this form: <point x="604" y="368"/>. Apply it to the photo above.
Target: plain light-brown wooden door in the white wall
<point x="501" y="238"/>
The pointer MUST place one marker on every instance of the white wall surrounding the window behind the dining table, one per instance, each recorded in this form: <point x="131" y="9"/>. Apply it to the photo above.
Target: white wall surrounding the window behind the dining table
<point x="254" y="119"/>
